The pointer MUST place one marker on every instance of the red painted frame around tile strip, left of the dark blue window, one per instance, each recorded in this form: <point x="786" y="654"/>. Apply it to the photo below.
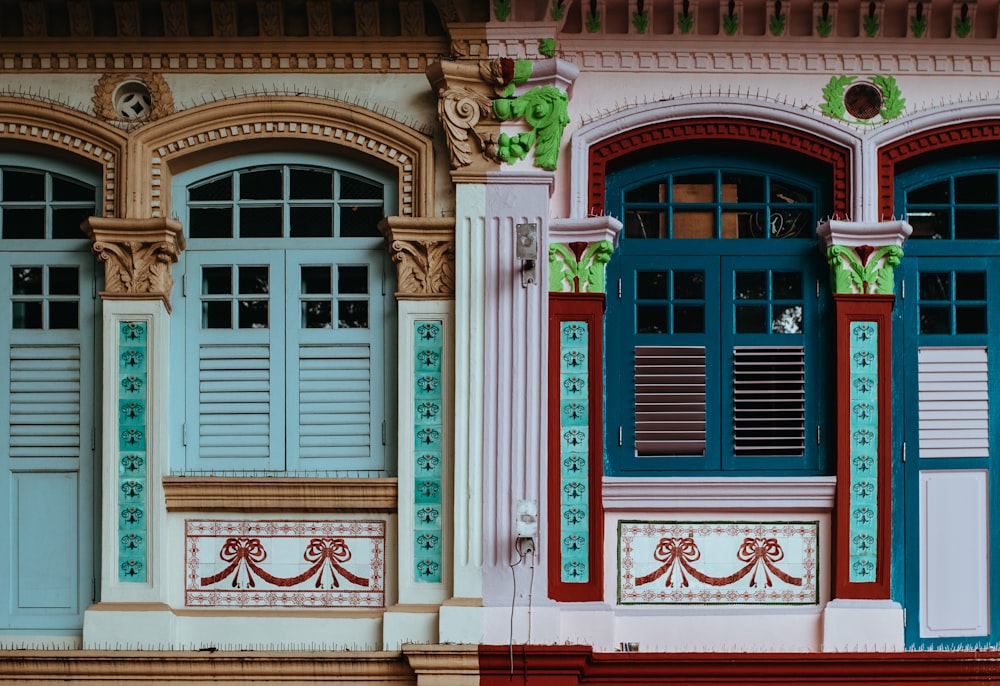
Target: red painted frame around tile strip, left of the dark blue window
<point x="587" y="307"/>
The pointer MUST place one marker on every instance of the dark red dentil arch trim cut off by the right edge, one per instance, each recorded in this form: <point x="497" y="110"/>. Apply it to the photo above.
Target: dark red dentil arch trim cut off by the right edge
<point x="928" y="141"/>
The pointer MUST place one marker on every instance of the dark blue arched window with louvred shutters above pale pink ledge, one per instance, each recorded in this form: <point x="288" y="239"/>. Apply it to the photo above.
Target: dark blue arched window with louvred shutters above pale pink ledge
<point x="715" y="343"/>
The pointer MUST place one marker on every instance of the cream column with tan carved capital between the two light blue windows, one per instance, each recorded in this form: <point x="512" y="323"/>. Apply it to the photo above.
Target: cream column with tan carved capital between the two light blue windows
<point x="137" y="256"/>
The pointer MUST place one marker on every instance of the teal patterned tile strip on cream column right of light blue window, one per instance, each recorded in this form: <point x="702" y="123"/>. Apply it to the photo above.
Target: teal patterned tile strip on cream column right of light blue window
<point x="428" y="433"/>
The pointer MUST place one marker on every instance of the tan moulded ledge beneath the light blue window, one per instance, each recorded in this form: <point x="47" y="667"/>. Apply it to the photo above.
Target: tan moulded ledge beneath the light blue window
<point x="278" y="494"/>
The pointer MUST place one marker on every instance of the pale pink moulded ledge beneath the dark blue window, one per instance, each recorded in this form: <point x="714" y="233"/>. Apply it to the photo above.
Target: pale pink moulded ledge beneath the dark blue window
<point x="774" y="494"/>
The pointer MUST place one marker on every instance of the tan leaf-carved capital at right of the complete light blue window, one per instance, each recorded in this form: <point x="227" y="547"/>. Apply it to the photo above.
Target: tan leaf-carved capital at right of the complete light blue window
<point x="423" y="249"/>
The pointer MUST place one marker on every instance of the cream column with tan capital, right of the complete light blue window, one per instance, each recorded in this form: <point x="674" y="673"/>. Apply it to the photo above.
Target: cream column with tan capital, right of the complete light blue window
<point x="424" y="252"/>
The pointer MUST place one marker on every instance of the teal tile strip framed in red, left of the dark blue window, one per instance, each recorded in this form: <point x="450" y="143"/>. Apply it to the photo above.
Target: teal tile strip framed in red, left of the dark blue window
<point x="574" y="457"/>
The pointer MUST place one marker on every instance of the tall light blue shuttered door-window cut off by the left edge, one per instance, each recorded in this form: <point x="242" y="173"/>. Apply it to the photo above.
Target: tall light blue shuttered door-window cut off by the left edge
<point x="48" y="313"/>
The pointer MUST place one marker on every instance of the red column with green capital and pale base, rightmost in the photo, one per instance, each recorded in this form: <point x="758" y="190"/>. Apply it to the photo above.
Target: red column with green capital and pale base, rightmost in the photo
<point x="862" y="258"/>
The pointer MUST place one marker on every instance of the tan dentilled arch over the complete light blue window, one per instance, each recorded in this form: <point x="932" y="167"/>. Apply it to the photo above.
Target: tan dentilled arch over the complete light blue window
<point x="254" y="124"/>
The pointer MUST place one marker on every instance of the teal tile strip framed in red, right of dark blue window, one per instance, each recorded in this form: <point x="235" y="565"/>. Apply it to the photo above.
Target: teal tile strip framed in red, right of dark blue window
<point x="864" y="450"/>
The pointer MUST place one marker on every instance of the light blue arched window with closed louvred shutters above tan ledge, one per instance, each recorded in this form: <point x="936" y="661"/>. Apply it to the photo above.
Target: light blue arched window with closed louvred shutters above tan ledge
<point x="288" y="321"/>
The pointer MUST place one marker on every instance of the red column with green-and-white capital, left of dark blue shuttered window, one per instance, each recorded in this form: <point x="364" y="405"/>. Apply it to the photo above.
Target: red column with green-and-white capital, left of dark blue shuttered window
<point x="578" y="253"/>
